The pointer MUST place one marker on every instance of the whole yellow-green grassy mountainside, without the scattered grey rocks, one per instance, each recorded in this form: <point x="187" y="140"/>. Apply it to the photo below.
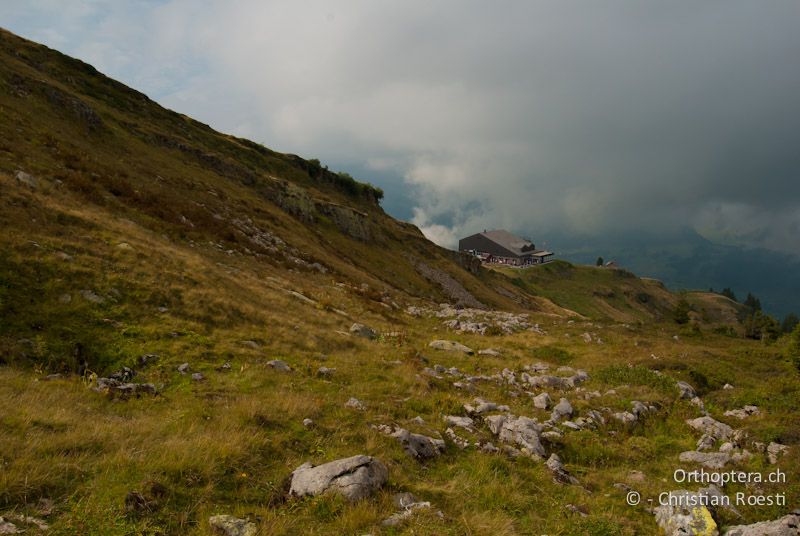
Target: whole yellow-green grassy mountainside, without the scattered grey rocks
<point x="149" y="234"/>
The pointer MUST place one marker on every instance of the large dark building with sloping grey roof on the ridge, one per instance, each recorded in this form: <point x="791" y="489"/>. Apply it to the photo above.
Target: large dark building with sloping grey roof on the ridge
<point x="501" y="247"/>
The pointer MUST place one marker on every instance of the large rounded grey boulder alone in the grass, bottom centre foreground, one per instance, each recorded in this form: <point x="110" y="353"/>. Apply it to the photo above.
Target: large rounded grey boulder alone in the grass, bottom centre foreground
<point x="354" y="478"/>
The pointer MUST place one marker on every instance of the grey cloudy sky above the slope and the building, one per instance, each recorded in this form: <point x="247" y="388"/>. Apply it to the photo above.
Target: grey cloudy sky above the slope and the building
<point x="590" y="117"/>
